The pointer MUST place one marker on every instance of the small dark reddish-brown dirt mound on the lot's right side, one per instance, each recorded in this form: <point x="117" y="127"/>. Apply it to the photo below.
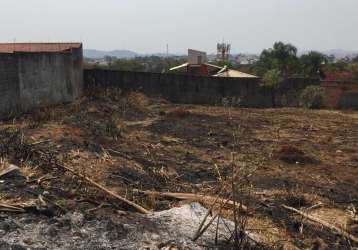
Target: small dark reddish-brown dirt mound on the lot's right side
<point x="294" y="155"/>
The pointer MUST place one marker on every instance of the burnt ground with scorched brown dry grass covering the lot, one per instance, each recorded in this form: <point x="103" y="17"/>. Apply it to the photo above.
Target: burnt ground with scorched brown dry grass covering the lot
<point x="130" y="142"/>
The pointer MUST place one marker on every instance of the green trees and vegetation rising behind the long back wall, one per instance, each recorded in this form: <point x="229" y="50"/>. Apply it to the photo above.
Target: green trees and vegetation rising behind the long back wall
<point x="280" y="61"/>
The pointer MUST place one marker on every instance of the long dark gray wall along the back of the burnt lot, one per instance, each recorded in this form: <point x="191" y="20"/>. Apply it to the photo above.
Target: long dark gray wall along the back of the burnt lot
<point x="247" y="92"/>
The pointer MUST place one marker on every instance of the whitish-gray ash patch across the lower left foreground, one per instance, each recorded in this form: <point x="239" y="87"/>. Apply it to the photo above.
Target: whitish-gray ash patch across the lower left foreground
<point x="159" y="230"/>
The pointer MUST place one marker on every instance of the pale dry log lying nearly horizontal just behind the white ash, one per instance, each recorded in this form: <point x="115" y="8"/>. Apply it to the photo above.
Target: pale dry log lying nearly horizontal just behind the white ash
<point x="196" y="197"/>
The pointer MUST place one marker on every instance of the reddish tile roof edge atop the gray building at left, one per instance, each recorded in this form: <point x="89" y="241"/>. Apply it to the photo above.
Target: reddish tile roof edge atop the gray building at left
<point x="37" y="47"/>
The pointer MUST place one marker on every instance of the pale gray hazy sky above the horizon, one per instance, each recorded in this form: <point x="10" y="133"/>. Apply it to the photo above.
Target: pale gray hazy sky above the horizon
<point x="148" y="25"/>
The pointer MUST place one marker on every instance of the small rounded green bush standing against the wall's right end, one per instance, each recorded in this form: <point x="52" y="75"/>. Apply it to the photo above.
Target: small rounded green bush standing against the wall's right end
<point x="312" y="97"/>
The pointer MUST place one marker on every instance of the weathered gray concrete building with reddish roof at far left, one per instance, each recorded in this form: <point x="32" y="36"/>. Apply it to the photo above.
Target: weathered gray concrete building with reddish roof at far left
<point x="39" y="74"/>
